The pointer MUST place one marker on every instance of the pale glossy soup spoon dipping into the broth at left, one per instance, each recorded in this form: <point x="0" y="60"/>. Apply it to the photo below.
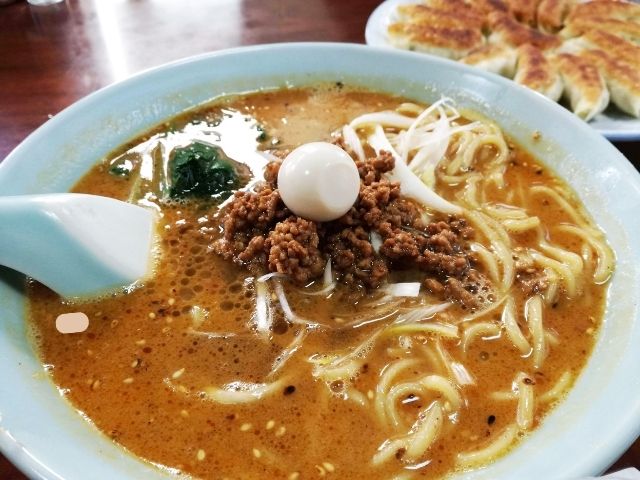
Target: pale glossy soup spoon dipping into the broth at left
<point x="76" y="244"/>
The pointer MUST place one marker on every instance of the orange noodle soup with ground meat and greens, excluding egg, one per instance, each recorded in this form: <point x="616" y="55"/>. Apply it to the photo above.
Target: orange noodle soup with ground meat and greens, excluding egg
<point x="232" y="364"/>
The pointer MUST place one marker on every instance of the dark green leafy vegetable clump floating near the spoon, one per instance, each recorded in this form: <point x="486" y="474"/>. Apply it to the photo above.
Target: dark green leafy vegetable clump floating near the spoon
<point x="200" y="170"/>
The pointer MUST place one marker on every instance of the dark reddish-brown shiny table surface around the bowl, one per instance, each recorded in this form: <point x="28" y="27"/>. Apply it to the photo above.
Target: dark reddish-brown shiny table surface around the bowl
<point x="52" y="56"/>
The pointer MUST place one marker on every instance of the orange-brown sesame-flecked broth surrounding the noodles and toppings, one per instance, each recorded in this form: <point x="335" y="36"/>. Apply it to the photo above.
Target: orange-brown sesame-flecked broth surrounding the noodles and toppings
<point x="139" y="371"/>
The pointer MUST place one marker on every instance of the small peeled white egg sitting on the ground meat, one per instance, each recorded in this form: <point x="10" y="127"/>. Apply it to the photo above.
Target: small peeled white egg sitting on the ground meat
<point x="318" y="181"/>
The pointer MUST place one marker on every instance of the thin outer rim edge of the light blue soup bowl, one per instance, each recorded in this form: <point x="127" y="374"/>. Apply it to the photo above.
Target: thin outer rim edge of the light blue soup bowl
<point x="628" y="426"/>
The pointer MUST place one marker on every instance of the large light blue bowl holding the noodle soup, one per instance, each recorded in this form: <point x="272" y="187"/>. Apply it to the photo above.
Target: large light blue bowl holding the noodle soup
<point x="46" y="438"/>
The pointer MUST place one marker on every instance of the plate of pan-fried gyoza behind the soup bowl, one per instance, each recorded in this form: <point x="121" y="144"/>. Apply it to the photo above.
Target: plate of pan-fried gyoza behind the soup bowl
<point x="584" y="55"/>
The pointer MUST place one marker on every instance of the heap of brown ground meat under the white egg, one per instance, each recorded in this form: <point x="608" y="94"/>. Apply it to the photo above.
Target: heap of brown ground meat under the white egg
<point x="259" y="230"/>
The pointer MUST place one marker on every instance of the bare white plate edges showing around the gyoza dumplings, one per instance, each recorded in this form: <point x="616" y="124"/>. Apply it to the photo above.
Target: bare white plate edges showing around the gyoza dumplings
<point x="613" y="124"/>
